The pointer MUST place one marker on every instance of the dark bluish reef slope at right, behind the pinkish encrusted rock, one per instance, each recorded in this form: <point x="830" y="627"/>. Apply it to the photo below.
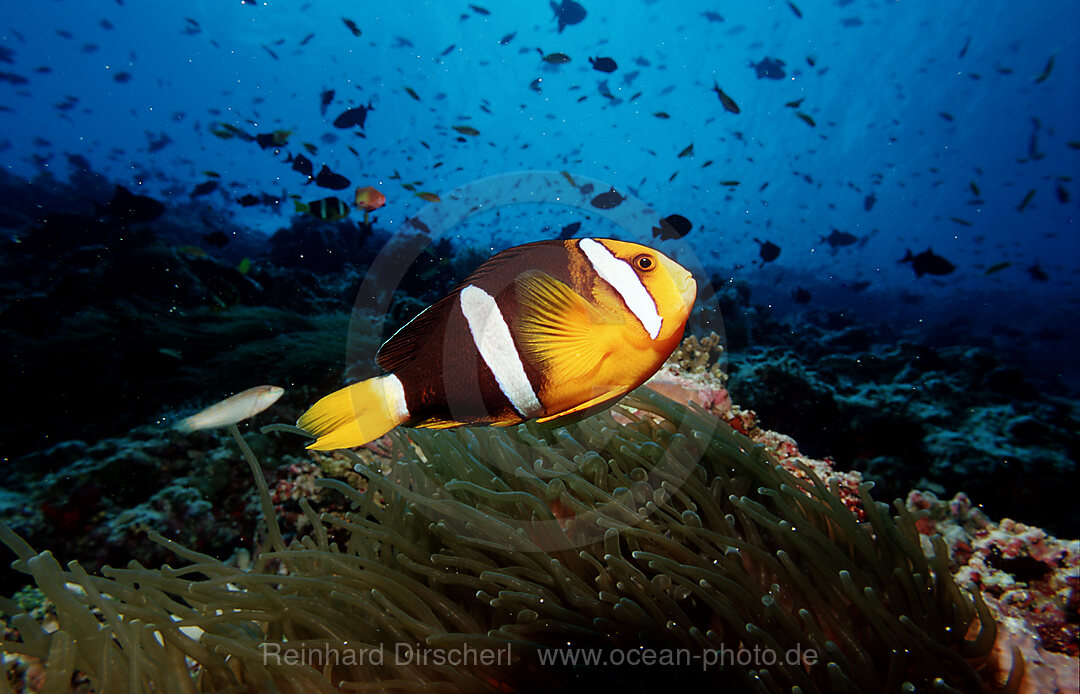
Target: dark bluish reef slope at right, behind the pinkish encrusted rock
<point x="953" y="419"/>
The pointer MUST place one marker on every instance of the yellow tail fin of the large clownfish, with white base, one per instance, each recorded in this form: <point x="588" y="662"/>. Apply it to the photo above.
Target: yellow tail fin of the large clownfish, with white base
<point x="353" y="416"/>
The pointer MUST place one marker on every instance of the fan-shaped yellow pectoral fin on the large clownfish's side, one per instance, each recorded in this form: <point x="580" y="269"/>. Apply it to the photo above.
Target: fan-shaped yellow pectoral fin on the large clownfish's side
<point x="559" y="332"/>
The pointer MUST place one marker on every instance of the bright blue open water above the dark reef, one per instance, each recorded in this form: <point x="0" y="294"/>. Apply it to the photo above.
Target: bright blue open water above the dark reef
<point x="899" y="115"/>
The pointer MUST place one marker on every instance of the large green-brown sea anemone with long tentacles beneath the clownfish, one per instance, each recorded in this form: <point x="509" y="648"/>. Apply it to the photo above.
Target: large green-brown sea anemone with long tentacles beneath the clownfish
<point x="658" y="541"/>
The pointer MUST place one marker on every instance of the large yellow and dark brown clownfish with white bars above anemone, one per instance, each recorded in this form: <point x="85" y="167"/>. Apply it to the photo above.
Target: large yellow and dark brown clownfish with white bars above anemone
<point x="545" y="331"/>
